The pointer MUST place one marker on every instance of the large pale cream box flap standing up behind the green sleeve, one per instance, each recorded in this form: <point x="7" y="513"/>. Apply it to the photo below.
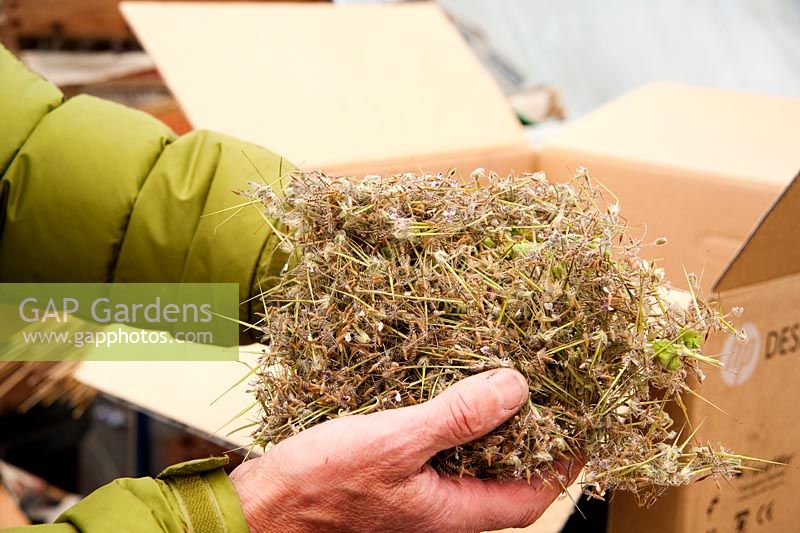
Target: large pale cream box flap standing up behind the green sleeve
<point x="327" y="86"/>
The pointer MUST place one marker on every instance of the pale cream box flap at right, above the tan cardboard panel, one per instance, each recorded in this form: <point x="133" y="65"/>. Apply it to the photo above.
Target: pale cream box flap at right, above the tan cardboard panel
<point x="692" y="129"/>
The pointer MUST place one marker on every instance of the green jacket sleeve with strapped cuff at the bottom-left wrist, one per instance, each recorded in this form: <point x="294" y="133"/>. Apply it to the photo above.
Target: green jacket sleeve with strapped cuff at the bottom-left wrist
<point x="193" y="496"/>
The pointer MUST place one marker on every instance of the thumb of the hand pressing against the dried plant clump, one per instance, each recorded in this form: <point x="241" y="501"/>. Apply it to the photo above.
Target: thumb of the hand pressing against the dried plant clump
<point x="465" y="411"/>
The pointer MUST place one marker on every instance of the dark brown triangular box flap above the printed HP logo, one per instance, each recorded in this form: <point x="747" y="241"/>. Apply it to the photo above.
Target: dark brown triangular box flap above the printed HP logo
<point x="771" y="250"/>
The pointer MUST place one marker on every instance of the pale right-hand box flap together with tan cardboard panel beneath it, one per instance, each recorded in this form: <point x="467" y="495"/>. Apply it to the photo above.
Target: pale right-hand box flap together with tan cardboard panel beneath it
<point x="698" y="166"/>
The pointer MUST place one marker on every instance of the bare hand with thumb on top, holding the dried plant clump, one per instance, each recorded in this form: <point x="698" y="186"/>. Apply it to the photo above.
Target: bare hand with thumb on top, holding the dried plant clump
<point x="369" y="472"/>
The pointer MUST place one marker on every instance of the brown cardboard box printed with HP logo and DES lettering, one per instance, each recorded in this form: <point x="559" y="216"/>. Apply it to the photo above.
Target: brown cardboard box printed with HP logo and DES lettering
<point x="757" y="387"/>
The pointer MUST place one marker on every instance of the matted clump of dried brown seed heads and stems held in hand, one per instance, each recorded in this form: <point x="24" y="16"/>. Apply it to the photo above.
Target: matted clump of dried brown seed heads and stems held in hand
<point x="398" y="286"/>
